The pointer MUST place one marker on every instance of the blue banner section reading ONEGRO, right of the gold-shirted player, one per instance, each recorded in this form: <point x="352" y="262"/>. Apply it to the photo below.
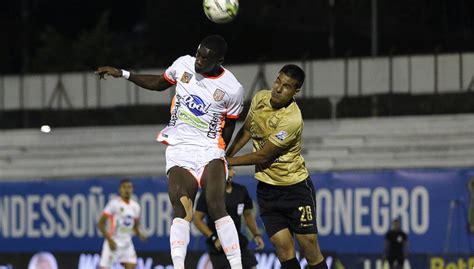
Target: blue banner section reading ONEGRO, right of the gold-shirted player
<point x="355" y="209"/>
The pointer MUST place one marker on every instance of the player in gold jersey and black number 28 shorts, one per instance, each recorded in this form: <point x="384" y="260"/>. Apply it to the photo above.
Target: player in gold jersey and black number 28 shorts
<point x="285" y="193"/>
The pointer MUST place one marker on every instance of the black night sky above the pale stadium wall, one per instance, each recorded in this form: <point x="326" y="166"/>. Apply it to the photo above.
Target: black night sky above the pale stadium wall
<point x="38" y="35"/>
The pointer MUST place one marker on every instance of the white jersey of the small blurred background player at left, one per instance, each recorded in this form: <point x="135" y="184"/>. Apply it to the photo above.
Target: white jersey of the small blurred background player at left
<point x="122" y="216"/>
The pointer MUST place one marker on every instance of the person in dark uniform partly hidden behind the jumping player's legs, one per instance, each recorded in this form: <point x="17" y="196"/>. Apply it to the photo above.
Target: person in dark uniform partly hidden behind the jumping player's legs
<point x="238" y="203"/>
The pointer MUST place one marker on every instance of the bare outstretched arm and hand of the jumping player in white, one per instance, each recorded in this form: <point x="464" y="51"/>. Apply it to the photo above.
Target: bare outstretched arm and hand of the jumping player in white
<point x="149" y="82"/>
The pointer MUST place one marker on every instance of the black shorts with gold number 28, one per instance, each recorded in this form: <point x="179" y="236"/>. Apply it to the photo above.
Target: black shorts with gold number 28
<point x="292" y="207"/>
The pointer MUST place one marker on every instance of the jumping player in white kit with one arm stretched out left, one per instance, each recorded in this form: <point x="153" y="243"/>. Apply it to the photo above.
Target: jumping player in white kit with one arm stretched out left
<point x="204" y="111"/>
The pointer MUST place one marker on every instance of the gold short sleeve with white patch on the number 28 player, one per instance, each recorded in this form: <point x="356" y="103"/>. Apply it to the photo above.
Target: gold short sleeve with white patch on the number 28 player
<point x="286" y="133"/>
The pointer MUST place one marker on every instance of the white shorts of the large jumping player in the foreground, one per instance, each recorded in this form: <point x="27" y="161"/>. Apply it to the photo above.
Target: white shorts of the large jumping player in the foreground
<point x="192" y="158"/>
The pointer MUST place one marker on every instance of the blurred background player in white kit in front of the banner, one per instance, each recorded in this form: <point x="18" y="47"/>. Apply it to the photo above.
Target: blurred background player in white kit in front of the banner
<point x="123" y="214"/>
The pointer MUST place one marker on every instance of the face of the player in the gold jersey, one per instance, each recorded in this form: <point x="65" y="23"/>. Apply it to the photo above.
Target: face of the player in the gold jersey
<point x="283" y="90"/>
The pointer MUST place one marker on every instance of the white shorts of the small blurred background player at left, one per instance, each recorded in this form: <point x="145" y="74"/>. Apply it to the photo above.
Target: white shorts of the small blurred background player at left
<point x="123" y="254"/>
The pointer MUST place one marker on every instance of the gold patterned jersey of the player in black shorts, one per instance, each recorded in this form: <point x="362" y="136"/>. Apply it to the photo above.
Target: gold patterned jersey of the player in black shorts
<point x="282" y="127"/>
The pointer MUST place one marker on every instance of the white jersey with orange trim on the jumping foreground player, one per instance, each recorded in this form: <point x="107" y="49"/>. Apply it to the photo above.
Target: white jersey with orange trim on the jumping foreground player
<point x="201" y="105"/>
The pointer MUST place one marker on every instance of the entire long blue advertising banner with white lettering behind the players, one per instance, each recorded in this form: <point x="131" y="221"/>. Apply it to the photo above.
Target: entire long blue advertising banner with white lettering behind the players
<point x="354" y="211"/>
